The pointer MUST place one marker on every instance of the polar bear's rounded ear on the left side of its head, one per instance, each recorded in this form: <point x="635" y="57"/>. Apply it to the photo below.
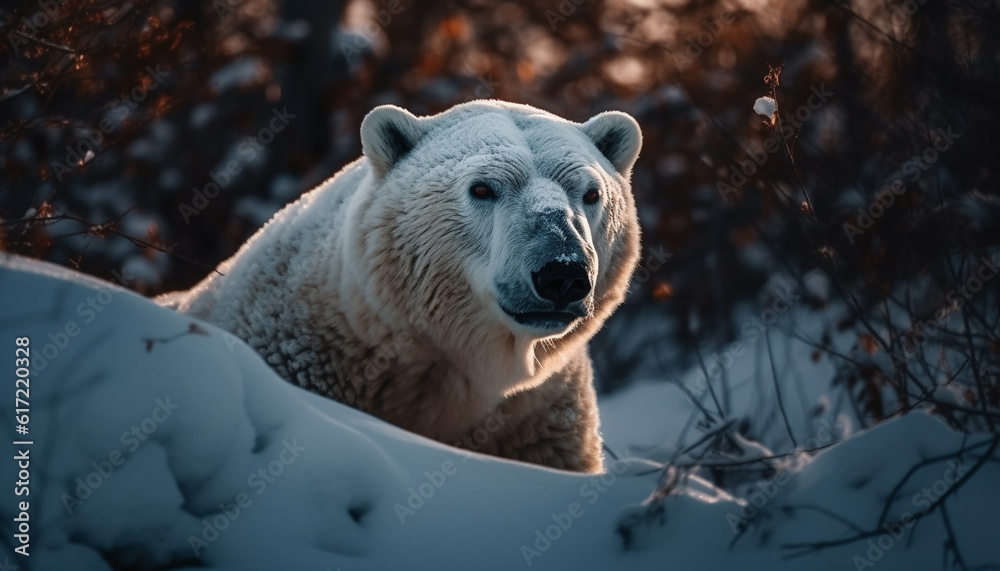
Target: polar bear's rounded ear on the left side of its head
<point x="388" y="133"/>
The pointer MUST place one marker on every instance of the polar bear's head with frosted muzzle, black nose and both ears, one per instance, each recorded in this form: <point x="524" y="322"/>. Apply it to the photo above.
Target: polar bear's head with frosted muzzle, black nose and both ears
<point x="499" y="235"/>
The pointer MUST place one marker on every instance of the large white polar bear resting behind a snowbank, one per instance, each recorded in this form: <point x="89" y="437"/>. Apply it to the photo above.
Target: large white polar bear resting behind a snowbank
<point x="449" y="280"/>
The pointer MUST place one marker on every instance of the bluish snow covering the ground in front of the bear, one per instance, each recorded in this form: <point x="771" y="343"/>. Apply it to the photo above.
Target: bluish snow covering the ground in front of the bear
<point x="237" y="469"/>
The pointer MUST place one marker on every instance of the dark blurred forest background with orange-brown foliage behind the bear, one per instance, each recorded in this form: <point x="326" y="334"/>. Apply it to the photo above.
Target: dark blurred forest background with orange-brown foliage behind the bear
<point x="121" y="123"/>
